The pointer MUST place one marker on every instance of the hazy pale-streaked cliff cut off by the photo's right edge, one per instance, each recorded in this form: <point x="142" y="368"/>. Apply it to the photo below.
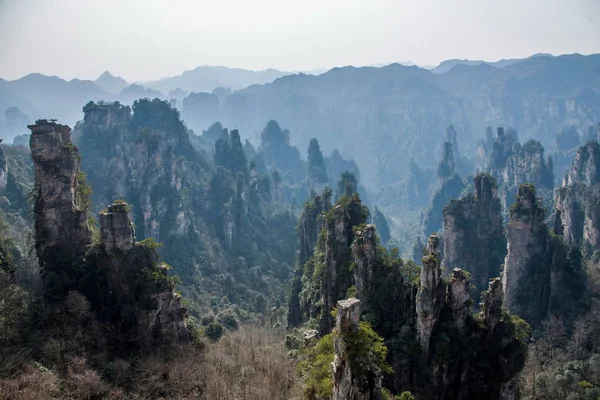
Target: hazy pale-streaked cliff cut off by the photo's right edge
<point x="578" y="200"/>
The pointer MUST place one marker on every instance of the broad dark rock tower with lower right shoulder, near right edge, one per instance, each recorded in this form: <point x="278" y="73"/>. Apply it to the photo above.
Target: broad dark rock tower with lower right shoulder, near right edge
<point x="542" y="275"/>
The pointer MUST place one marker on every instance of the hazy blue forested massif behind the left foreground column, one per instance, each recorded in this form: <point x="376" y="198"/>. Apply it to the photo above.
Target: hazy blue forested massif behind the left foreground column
<point x="219" y="228"/>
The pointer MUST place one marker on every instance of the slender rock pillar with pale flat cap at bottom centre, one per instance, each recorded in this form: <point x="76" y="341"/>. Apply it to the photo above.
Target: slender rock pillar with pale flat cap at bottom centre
<point x="348" y="382"/>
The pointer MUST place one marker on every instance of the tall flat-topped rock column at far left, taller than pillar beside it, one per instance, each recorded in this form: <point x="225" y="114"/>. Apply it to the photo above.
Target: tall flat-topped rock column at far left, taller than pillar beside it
<point x="61" y="232"/>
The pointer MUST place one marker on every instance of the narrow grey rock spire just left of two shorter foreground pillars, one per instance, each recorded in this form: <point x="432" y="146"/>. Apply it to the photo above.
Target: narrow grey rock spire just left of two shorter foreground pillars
<point x="431" y="294"/>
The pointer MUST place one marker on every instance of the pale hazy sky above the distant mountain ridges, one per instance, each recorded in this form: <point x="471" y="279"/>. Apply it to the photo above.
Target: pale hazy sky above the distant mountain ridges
<point x="149" y="39"/>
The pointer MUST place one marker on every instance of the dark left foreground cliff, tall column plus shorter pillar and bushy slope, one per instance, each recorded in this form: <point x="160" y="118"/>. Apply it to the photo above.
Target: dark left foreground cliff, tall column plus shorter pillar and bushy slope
<point x="124" y="282"/>
